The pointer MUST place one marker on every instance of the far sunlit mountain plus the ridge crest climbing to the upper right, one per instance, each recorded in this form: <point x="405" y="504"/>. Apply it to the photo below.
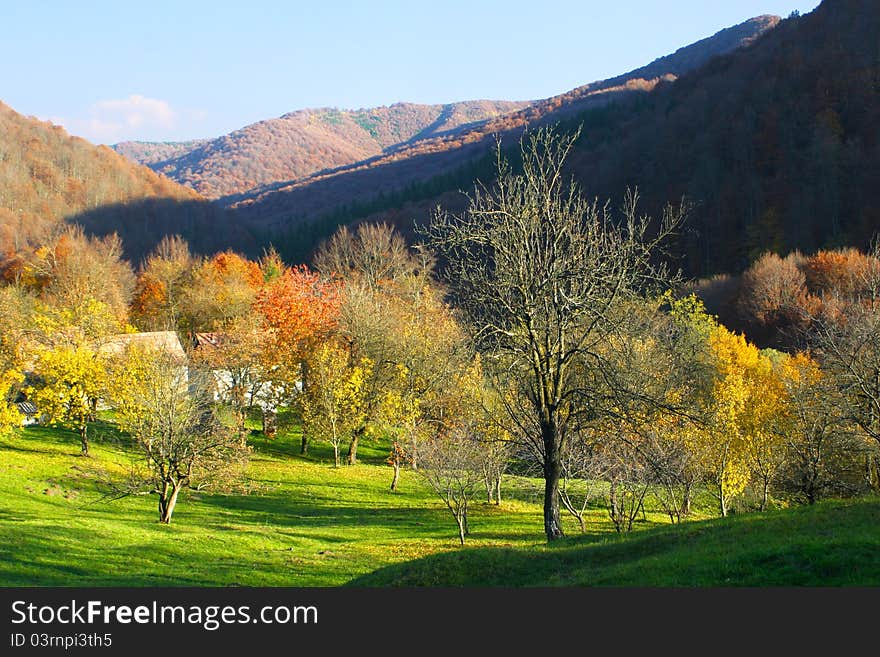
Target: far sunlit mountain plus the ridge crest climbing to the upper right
<point x="305" y="145"/>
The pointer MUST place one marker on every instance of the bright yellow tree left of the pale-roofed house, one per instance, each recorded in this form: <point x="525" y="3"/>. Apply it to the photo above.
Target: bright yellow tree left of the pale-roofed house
<point x="73" y="378"/>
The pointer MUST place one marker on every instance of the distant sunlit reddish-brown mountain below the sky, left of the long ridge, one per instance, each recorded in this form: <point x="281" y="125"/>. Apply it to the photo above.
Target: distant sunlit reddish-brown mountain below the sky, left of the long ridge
<point x="301" y="143"/>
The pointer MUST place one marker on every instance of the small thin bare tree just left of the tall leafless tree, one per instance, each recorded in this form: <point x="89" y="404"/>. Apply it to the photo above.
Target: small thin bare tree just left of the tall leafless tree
<point x="452" y="465"/>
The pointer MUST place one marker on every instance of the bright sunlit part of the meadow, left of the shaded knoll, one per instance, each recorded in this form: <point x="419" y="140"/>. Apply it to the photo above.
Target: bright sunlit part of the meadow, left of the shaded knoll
<point x="305" y="524"/>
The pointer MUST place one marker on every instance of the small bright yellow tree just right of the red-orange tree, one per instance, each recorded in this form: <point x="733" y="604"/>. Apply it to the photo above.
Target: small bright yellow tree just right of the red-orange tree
<point x="333" y="403"/>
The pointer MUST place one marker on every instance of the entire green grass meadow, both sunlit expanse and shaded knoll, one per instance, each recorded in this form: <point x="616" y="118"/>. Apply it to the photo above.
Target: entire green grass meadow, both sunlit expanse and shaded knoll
<point x="307" y="524"/>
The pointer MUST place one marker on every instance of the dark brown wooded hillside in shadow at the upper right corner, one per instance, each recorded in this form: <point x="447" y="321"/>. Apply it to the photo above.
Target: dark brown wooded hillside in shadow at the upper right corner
<point x="777" y="145"/>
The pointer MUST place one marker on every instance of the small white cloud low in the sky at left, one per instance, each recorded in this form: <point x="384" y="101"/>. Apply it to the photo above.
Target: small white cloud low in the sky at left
<point x="113" y="120"/>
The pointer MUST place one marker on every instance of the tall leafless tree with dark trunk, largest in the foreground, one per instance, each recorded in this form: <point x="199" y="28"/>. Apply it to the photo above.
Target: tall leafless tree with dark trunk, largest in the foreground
<point x="537" y="269"/>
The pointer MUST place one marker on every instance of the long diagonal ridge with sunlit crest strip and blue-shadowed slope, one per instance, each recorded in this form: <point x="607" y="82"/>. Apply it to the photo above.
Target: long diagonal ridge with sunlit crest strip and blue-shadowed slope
<point x="449" y="159"/>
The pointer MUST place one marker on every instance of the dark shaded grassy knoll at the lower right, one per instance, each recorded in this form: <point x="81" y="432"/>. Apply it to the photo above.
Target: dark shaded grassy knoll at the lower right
<point x="832" y="544"/>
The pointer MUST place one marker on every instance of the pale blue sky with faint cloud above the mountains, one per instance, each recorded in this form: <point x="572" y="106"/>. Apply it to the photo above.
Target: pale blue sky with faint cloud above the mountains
<point x="173" y="70"/>
